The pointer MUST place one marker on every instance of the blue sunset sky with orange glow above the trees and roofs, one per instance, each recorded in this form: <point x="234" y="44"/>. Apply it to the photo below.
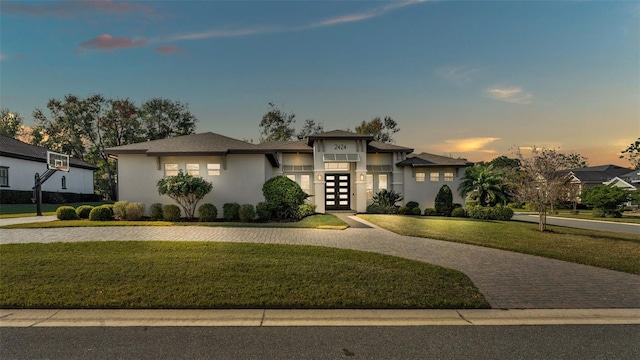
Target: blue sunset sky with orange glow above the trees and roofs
<point x="472" y="79"/>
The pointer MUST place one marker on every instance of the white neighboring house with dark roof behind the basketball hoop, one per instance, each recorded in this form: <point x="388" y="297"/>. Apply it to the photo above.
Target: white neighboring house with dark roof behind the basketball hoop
<point x="19" y="162"/>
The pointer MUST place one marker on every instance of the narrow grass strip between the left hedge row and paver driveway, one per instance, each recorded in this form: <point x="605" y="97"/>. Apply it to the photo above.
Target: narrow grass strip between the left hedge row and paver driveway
<point x="325" y="221"/>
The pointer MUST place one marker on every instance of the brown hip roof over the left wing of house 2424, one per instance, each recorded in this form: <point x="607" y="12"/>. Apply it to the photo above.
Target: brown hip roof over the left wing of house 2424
<point x="194" y="144"/>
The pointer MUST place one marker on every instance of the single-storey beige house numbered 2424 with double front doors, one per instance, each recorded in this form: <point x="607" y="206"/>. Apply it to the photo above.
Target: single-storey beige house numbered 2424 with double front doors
<point x="341" y="170"/>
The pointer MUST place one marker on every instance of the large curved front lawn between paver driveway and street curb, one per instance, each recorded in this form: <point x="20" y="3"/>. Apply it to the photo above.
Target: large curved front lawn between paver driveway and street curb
<point x="154" y="275"/>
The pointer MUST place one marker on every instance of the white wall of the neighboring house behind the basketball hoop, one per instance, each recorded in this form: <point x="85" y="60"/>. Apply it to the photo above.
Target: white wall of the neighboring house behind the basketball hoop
<point x="21" y="177"/>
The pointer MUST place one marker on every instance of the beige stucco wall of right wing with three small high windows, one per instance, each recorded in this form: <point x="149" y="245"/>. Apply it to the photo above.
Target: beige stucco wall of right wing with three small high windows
<point x="425" y="192"/>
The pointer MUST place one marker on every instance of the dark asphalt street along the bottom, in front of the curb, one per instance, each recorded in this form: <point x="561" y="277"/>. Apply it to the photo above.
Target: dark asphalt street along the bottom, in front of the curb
<point x="441" y="342"/>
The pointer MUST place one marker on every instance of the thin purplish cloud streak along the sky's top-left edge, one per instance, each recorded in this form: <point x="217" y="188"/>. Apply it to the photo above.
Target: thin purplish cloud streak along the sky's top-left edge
<point x="70" y="8"/>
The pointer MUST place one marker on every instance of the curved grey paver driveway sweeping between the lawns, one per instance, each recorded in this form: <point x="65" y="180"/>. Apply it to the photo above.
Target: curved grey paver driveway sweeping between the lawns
<point x="508" y="280"/>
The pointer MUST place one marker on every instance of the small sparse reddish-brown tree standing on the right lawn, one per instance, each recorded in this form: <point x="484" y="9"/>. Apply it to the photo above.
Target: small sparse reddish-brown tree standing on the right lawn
<point x="544" y="180"/>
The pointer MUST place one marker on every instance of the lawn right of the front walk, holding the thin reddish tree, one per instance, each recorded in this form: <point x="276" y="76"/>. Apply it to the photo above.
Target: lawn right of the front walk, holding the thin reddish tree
<point x="609" y="250"/>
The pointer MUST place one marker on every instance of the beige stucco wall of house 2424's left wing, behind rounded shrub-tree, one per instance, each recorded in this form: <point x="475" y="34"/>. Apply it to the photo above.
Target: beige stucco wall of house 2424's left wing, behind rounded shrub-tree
<point x="240" y="181"/>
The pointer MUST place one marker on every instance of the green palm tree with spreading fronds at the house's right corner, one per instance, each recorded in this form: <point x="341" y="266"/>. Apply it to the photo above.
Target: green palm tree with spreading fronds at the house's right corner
<point x="484" y="183"/>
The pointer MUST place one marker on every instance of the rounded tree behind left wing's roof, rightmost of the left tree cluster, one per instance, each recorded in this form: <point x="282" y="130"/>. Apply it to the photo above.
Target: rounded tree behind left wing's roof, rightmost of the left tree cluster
<point x="163" y="118"/>
